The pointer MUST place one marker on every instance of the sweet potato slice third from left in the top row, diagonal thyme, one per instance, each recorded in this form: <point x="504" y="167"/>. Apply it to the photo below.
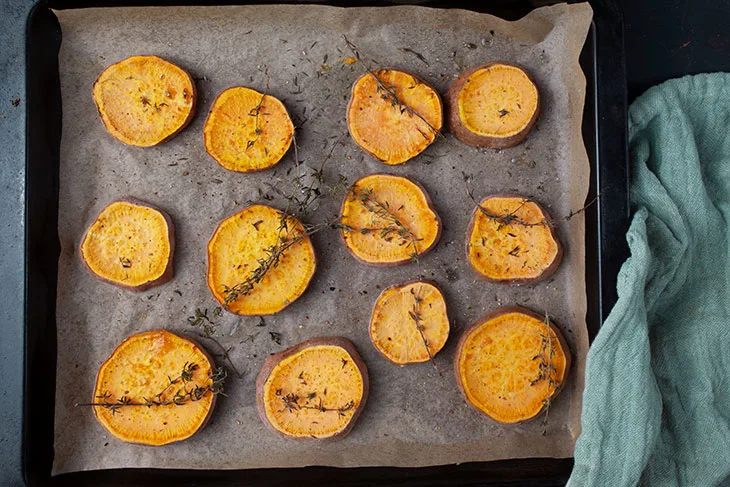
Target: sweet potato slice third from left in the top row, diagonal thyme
<point x="393" y="130"/>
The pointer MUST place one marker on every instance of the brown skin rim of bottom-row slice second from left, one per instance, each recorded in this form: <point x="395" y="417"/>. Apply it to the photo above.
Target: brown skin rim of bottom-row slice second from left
<point x="275" y="358"/>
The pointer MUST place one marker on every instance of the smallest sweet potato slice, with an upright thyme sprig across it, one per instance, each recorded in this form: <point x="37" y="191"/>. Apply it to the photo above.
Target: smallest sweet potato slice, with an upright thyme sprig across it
<point x="406" y="319"/>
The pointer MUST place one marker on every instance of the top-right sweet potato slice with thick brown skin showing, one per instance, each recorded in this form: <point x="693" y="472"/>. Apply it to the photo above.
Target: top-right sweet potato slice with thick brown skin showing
<point x="494" y="105"/>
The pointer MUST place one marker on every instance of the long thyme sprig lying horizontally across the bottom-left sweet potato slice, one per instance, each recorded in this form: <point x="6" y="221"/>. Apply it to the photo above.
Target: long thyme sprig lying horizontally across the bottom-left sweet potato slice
<point x="183" y="394"/>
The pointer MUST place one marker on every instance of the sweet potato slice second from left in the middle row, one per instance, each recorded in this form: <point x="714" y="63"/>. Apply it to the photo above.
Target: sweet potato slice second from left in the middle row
<point x="238" y="250"/>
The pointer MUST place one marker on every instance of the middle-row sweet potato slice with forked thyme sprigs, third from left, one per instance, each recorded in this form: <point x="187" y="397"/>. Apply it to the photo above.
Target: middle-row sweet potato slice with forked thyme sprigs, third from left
<point x="388" y="220"/>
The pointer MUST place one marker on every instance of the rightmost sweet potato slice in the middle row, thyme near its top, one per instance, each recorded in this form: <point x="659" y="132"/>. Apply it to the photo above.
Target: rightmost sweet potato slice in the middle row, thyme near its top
<point x="511" y="240"/>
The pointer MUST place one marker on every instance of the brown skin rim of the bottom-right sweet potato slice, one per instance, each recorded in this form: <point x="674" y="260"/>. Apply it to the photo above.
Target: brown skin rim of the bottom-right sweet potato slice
<point x="494" y="314"/>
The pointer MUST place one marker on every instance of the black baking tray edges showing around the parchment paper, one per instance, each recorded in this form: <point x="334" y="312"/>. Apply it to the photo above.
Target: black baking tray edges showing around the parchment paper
<point x="604" y="133"/>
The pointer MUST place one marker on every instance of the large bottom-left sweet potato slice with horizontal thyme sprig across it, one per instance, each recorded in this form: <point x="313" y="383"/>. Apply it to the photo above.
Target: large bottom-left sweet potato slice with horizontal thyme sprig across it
<point x="155" y="388"/>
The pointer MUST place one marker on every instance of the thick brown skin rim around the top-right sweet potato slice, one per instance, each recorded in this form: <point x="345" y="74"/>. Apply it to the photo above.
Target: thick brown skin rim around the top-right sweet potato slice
<point x="465" y="135"/>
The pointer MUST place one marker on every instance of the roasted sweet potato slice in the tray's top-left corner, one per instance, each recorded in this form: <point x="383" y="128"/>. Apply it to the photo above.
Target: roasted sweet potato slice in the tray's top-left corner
<point x="145" y="100"/>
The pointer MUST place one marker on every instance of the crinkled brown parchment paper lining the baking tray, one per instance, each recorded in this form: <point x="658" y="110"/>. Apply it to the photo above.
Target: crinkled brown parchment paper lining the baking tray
<point x="413" y="417"/>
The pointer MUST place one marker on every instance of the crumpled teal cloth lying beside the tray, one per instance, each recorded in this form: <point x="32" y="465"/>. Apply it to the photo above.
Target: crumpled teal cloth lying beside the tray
<point x="656" y="407"/>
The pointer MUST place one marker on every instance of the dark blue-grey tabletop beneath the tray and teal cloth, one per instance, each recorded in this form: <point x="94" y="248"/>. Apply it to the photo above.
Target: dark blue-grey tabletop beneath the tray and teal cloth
<point x="664" y="39"/>
